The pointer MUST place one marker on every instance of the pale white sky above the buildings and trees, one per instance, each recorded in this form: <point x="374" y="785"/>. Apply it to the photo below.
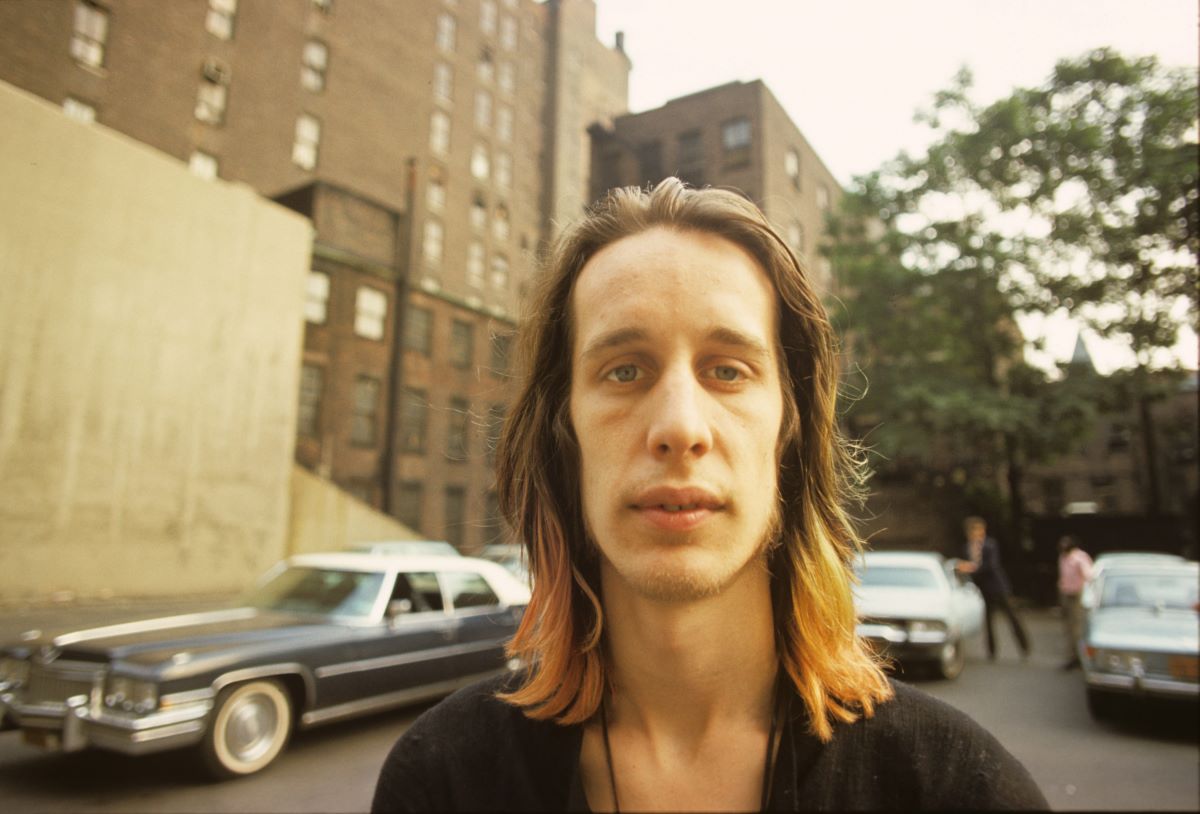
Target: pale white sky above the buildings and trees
<point x="853" y="73"/>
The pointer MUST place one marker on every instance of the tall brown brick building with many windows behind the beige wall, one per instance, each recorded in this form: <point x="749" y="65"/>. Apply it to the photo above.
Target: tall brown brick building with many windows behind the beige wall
<point x="424" y="140"/>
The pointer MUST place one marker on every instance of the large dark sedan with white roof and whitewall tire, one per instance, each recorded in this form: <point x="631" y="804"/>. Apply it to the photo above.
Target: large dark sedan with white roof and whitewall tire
<point x="323" y="638"/>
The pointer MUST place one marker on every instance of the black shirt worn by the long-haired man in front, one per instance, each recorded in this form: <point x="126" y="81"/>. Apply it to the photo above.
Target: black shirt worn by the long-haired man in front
<point x="476" y="753"/>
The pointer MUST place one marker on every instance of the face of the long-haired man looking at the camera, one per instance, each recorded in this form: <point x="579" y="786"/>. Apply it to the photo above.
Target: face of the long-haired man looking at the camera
<point x="677" y="406"/>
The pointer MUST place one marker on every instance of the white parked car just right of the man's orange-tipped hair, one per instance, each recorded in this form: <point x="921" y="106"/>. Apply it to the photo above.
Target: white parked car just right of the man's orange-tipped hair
<point x="917" y="609"/>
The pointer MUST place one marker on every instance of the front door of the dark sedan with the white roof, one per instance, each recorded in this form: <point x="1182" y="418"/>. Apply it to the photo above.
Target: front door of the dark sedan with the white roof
<point x="404" y="653"/>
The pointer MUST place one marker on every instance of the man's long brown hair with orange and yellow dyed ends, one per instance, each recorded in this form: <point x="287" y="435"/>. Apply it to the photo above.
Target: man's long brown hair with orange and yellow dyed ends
<point x="538" y="478"/>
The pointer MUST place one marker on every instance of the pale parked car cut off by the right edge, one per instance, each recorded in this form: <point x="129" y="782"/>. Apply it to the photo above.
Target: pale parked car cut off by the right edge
<point x="1142" y="635"/>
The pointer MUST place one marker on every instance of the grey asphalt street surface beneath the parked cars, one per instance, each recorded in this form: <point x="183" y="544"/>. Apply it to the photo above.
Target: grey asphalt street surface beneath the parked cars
<point x="1035" y="709"/>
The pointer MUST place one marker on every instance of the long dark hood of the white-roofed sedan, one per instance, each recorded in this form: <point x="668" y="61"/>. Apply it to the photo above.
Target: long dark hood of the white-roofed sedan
<point x="195" y="638"/>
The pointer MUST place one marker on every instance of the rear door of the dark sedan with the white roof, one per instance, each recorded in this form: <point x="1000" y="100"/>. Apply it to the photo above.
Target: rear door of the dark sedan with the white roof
<point x="484" y="624"/>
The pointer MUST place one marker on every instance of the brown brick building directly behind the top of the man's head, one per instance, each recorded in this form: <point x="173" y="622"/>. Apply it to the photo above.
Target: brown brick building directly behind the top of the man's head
<point x="735" y="135"/>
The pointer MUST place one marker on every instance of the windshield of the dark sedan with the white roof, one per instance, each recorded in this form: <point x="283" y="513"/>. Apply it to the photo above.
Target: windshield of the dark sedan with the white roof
<point x="322" y="591"/>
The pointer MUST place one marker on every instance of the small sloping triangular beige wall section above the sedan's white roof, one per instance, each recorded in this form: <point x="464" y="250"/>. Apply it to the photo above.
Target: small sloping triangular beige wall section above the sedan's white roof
<point x="327" y="519"/>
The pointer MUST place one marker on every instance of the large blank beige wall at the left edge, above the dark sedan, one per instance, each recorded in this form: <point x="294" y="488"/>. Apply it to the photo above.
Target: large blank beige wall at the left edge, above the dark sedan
<point x="151" y="334"/>
